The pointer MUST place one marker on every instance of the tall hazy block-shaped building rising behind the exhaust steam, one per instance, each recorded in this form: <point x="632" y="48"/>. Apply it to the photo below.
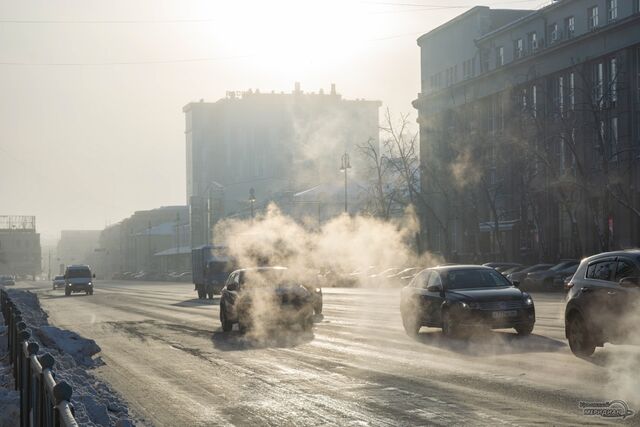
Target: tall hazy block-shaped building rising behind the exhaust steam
<point x="252" y="148"/>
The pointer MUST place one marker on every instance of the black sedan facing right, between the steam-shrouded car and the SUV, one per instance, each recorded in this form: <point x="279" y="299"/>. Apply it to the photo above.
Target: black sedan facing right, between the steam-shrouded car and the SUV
<point x="457" y="298"/>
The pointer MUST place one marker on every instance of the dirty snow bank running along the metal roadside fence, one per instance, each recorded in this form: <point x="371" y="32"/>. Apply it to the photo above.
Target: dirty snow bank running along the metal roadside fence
<point x="95" y="403"/>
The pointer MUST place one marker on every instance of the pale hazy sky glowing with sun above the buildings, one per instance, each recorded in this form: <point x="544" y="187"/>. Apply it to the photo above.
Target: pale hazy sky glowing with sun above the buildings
<point x="91" y="92"/>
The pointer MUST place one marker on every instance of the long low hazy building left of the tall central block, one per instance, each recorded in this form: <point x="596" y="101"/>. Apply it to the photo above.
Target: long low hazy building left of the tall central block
<point x="142" y="241"/>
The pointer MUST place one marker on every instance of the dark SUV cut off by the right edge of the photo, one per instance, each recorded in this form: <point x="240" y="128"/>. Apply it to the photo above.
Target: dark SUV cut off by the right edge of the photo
<point x="603" y="294"/>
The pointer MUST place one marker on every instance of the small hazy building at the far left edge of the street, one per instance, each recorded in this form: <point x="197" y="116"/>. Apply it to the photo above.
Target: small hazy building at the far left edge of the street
<point x="20" y="252"/>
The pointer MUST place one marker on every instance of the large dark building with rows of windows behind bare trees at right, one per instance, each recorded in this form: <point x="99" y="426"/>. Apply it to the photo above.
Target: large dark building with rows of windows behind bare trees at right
<point x="532" y="151"/>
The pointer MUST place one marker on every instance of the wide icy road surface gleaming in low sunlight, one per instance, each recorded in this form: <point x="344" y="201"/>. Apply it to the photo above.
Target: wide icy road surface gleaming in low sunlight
<point x="165" y="352"/>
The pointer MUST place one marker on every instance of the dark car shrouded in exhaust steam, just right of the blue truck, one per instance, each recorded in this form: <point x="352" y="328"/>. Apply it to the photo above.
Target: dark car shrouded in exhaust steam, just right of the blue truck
<point x="265" y="295"/>
